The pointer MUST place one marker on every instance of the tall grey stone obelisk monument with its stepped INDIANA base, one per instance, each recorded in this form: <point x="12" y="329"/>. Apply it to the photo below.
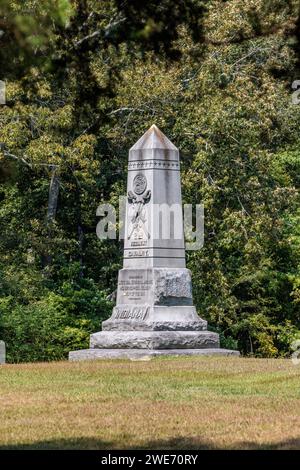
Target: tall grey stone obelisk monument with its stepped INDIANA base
<point x="154" y="313"/>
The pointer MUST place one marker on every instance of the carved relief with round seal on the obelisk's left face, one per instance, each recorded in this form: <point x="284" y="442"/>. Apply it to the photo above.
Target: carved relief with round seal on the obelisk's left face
<point x="138" y="201"/>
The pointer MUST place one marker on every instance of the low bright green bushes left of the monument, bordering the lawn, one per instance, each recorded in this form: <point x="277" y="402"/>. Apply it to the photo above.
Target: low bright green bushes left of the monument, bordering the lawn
<point x="41" y="331"/>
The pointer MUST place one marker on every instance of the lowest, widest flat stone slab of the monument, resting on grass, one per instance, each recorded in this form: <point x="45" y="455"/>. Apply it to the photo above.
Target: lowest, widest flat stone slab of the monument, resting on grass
<point x="145" y="354"/>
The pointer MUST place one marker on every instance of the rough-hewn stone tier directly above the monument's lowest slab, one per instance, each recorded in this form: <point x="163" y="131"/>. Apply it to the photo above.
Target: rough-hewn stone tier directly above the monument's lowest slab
<point x="154" y="340"/>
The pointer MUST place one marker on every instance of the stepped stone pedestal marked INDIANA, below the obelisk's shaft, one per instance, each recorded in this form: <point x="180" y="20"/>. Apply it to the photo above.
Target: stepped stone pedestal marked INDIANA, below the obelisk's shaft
<point x="164" y="322"/>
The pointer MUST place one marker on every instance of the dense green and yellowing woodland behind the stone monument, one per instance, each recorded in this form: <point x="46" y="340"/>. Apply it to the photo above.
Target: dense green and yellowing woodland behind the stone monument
<point x="84" y="80"/>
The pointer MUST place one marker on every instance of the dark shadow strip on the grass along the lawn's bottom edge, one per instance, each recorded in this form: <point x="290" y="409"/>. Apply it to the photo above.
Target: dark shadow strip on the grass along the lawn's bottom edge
<point x="177" y="443"/>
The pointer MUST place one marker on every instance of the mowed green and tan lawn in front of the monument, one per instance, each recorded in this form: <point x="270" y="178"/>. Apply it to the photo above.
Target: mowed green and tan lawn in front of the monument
<point x="165" y="403"/>
